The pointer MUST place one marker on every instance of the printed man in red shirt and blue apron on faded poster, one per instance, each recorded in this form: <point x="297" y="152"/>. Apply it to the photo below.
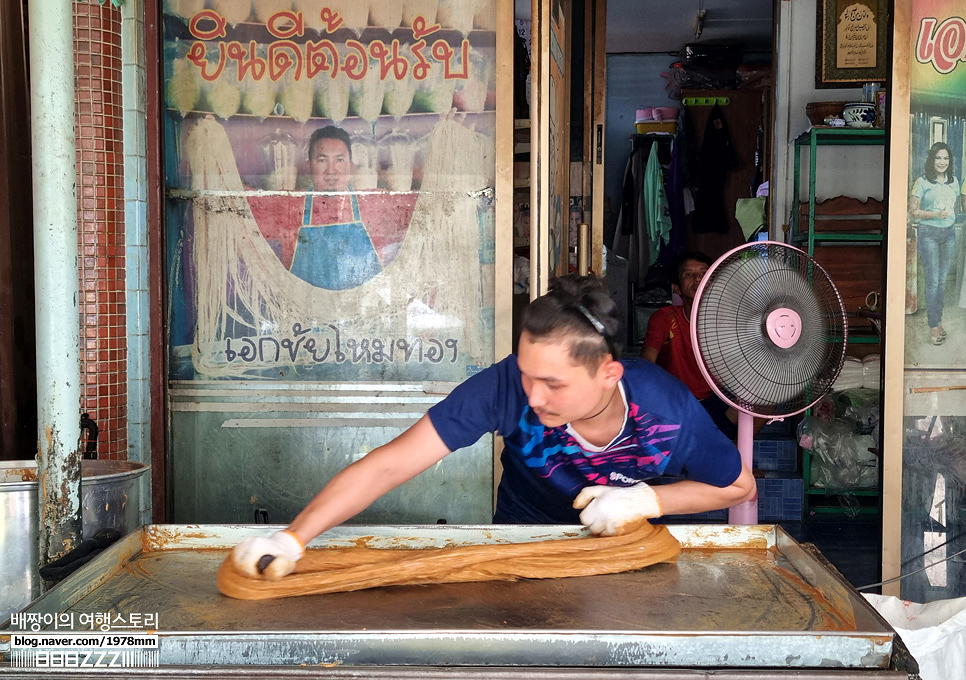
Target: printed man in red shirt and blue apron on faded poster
<point x="335" y="238"/>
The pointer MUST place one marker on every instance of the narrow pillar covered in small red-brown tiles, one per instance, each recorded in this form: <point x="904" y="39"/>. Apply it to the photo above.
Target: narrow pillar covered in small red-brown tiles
<point x="101" y="222"/>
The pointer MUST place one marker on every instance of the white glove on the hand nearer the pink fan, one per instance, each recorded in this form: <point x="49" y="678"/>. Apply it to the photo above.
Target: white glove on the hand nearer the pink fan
<point x="612" y="510"/>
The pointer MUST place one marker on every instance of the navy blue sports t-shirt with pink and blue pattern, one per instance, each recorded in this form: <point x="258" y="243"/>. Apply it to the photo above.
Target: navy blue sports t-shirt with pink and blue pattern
<point x="667" y="435"/>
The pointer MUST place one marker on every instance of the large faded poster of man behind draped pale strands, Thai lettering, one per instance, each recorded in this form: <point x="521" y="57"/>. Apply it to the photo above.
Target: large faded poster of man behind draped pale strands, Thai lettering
<point x="329" y="188"/>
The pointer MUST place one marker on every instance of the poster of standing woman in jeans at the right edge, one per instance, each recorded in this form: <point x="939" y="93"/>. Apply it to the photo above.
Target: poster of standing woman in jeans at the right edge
<point x="936" y="290"/>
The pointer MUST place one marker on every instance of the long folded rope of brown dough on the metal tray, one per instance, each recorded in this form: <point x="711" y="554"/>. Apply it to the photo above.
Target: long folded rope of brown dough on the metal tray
<point x="330" y="570"/>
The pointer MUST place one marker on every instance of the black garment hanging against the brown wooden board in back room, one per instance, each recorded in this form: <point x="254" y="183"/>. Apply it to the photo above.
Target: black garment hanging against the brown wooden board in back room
<point x="716" y="158"/>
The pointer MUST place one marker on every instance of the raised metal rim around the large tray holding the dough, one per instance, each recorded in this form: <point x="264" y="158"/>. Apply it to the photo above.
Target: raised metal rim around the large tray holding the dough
<point x="841" y="649"/>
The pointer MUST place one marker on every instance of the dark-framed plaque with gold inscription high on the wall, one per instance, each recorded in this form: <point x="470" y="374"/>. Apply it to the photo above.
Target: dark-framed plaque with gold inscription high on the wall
<point x="851" y="42"/>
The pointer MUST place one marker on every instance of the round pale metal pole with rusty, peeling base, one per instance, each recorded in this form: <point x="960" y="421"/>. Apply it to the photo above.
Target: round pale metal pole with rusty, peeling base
<point x="55" y="276"/>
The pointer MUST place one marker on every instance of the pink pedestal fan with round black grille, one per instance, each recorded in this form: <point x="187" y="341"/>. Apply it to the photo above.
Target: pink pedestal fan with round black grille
<point x="769" y="329"/>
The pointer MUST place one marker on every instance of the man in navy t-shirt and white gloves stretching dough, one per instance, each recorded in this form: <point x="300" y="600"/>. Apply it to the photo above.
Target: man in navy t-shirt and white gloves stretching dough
<point x="588" y="437"/>
